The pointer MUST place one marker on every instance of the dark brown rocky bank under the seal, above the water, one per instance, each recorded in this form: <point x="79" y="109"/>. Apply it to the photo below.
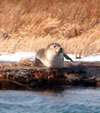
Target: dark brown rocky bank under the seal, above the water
<point x="13" y="76"/>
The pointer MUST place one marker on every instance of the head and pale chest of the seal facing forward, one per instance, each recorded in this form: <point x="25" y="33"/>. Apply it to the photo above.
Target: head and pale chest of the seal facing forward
<point x="54" y="56"/>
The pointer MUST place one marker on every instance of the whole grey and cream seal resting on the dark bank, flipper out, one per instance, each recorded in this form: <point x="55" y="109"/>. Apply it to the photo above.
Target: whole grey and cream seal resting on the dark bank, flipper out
<point x="52" y="56"/>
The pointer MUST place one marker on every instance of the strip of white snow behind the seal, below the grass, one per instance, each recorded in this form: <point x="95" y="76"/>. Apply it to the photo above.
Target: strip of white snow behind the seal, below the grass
<point x="16" y="57"/>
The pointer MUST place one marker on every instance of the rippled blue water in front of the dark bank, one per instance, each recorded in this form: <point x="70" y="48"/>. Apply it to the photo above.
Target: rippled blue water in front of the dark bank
<point x="73" y="100"/>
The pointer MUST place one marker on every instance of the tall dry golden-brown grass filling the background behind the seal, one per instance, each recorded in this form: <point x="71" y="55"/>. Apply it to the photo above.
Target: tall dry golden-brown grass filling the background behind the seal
<point x="28" y="25"/>
